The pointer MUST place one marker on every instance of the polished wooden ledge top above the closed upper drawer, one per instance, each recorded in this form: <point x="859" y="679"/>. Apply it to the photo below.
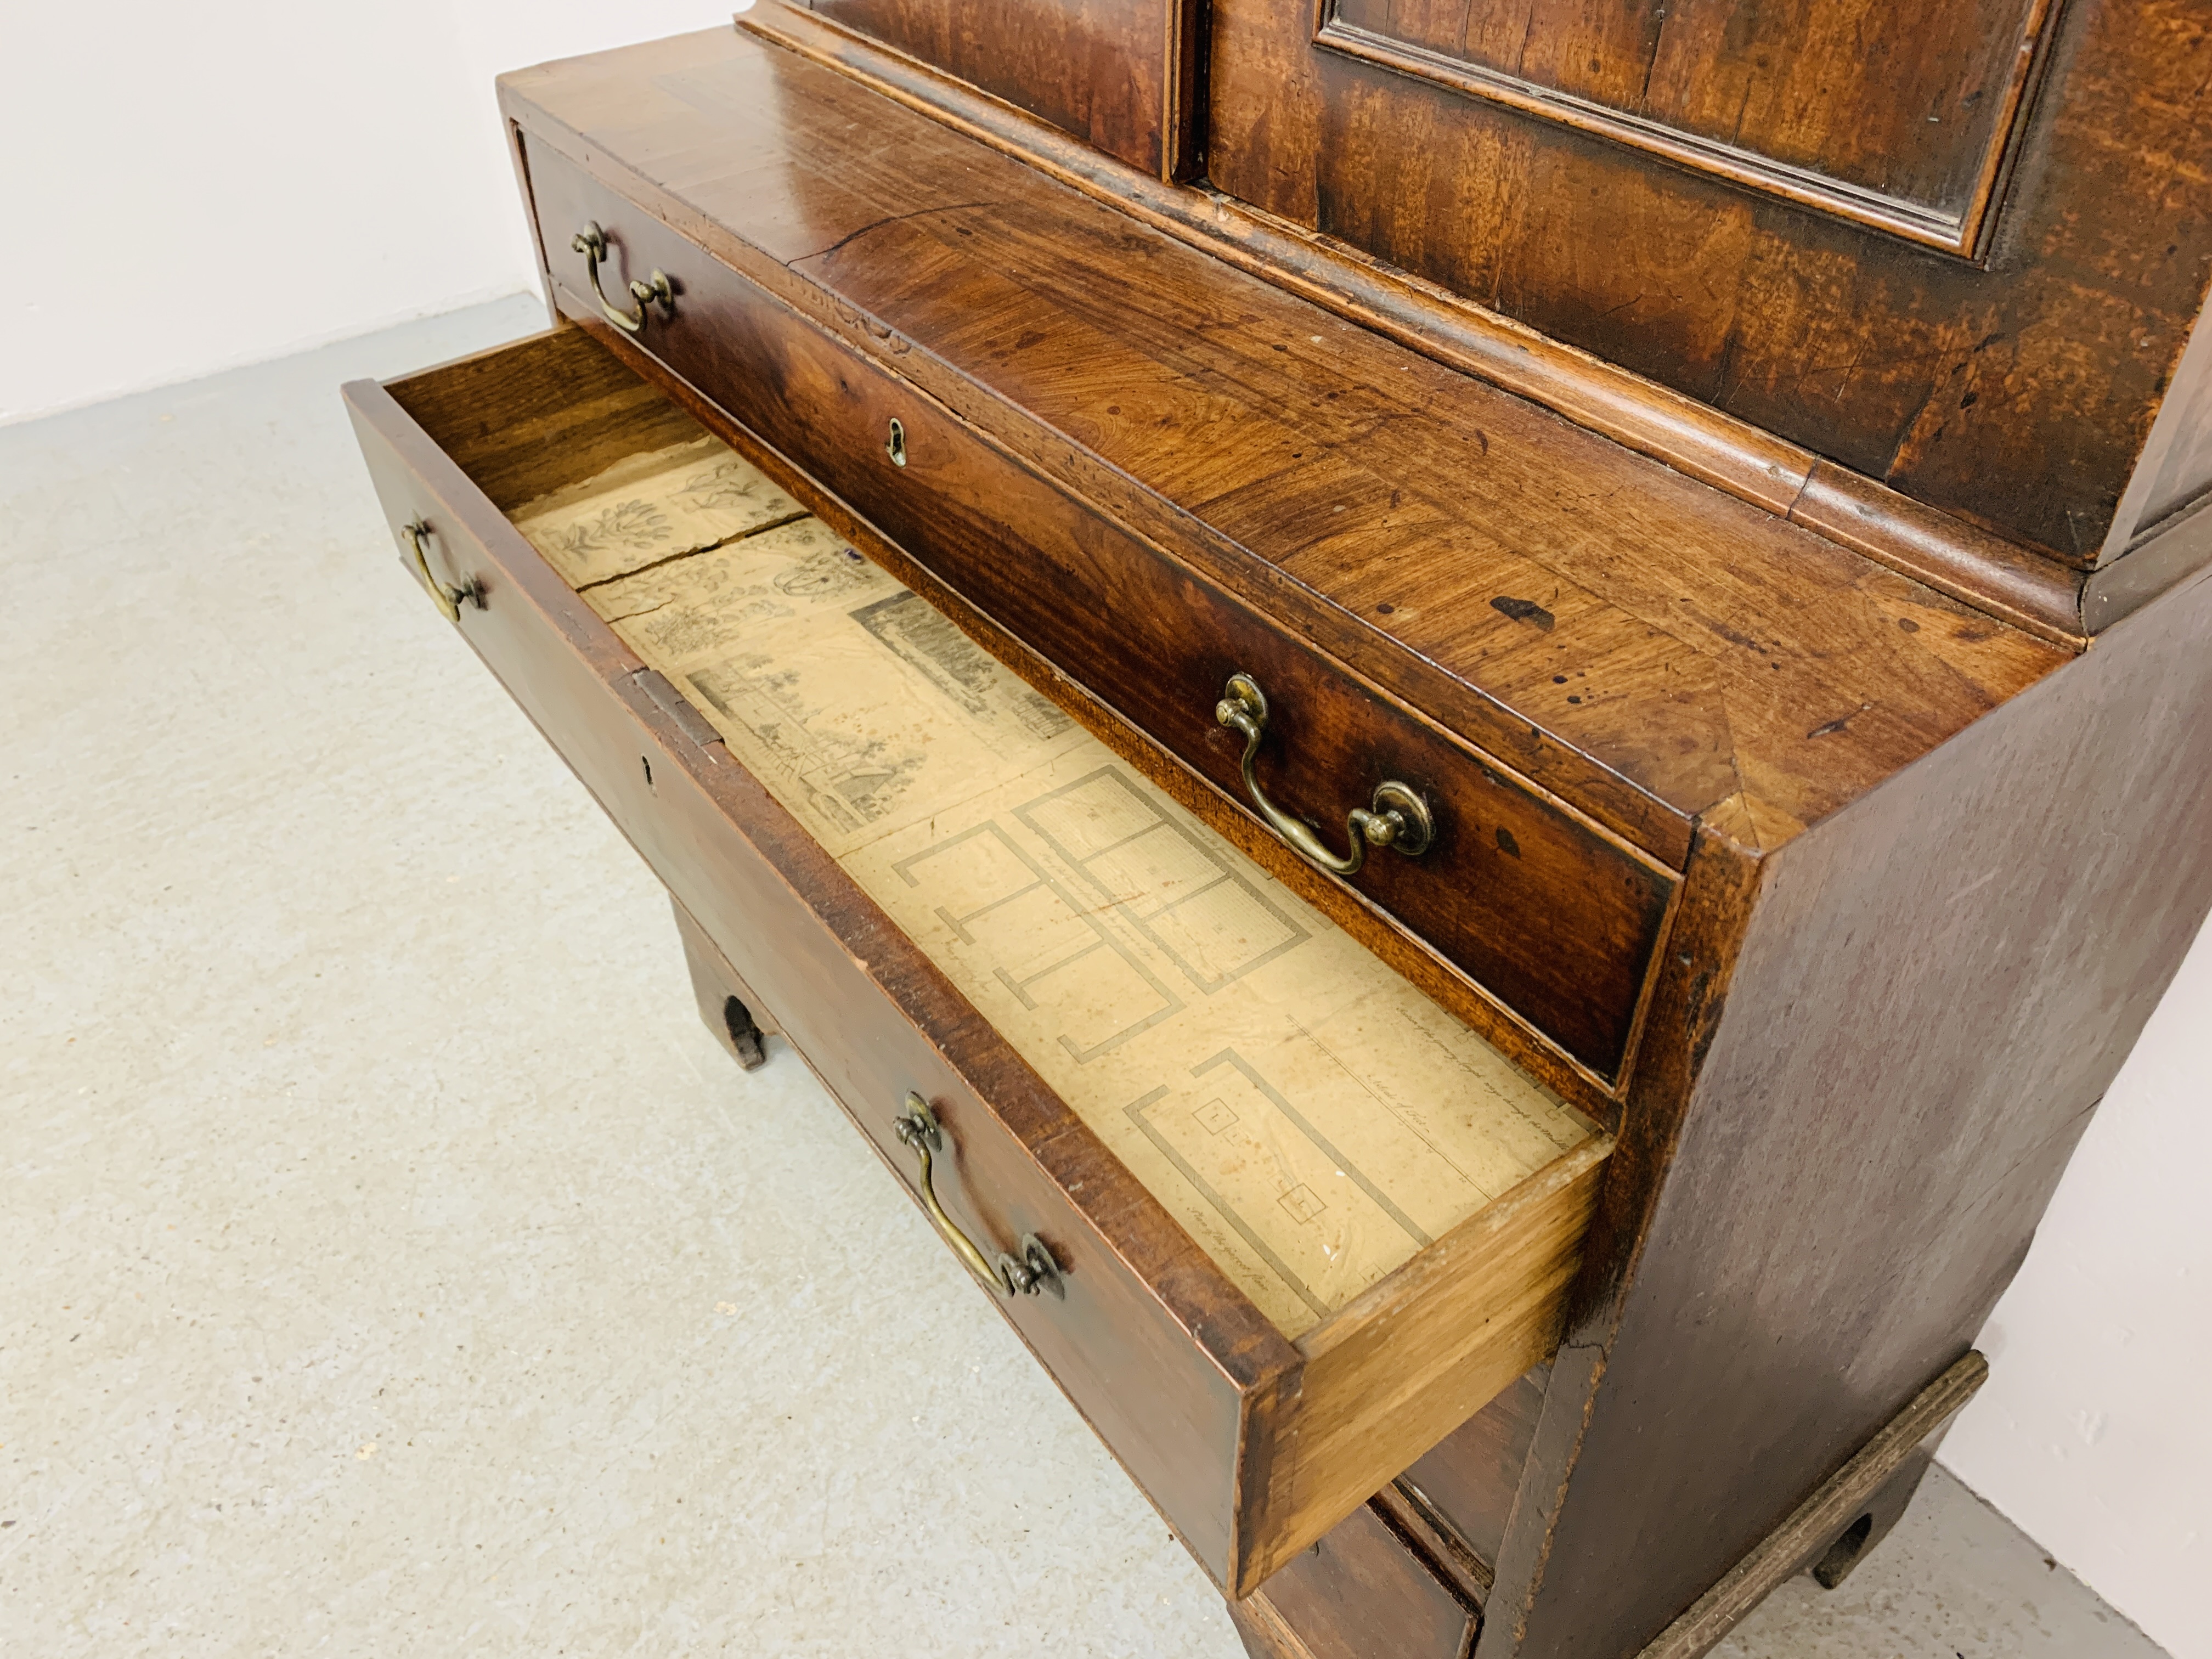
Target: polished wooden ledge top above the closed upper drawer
<point x="1355" y="492"/>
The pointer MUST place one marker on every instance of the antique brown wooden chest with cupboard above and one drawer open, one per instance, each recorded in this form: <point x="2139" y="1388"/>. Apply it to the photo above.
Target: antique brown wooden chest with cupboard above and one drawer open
<point x="1472" y="735"/>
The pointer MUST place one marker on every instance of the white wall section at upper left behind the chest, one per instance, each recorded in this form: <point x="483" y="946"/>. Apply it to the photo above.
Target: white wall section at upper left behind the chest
<point x="191" y="187"/>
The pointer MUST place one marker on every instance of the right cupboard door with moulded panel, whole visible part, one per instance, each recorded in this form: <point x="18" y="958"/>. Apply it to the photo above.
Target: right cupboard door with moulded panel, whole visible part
<point x="1948" y="247"/>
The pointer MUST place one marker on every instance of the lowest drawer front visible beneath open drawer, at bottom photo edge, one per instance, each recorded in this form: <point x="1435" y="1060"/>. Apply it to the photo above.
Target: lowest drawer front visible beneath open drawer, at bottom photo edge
<point x="1359" y="1594"/>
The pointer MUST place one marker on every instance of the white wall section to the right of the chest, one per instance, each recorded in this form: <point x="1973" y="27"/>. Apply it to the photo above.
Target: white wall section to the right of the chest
<point x="2094" y="1430"/>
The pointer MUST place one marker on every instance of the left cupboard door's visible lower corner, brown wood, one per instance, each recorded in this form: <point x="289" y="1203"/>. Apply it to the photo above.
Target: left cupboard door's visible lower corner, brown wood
<point x="1116" y="74"/>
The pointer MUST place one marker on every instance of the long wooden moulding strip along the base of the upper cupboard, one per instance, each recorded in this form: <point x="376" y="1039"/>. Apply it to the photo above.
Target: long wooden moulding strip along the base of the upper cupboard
<point x="1731" y="455"/>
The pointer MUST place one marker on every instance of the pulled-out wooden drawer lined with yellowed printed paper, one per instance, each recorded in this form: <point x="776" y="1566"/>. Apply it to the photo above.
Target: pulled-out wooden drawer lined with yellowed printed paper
<point x="1273" y="1220"/>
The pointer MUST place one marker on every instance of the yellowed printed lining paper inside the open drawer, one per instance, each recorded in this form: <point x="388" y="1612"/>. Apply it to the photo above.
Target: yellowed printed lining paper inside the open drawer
<point x="1304" y="1112"/>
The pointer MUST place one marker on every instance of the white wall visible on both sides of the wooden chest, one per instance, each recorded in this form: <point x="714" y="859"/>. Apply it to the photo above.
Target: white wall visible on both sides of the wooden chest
<point x="194" y="187"/>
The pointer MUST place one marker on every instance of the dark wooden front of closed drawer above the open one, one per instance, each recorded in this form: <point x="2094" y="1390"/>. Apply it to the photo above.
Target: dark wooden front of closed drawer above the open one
<point x="1545" y="912"/>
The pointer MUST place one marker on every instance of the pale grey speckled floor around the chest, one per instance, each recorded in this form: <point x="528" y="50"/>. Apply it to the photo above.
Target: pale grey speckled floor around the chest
<point x="390" y="1264"/>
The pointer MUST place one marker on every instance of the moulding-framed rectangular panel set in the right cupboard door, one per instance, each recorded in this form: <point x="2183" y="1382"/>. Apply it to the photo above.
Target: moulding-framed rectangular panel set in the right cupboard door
<point x="1888" y="116"/>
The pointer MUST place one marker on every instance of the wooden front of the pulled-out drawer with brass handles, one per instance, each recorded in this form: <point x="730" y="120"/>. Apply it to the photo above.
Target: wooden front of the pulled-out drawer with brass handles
<point x="1145" y="1344"/>
